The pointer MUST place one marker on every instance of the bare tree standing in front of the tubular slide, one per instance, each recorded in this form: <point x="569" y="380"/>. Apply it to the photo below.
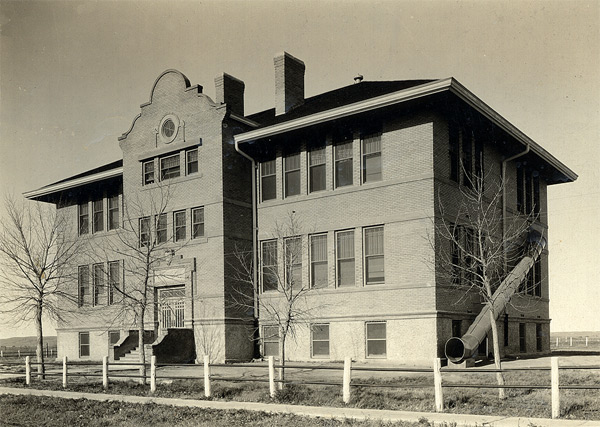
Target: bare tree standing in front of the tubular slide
<point x="475" y="245"/>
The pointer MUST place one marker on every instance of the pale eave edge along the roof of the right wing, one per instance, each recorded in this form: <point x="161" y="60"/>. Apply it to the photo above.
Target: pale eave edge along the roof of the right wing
<point x="450" y="84"/>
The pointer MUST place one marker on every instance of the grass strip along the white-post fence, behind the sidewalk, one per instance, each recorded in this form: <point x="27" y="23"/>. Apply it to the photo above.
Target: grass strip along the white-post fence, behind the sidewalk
<point x="390" y="393"/>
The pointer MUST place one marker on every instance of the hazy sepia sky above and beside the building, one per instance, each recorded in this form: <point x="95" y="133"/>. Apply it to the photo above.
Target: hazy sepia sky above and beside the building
<point x="73" y="75"/>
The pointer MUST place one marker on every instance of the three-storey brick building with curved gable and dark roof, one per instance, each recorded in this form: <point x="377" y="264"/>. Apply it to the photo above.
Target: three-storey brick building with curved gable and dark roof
<point x="362" y="168"/>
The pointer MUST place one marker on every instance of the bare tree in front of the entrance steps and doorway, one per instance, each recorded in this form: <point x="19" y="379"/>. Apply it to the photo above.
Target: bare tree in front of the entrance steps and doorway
<point x="143" y="245"/>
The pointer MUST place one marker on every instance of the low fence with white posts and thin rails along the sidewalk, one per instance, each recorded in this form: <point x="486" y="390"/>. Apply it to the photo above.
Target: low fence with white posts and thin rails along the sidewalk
<point x="105" y="370"/>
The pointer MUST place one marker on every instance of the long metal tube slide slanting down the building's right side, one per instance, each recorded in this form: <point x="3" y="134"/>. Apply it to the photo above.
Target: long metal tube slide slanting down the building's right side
<point x="460" y="349"/>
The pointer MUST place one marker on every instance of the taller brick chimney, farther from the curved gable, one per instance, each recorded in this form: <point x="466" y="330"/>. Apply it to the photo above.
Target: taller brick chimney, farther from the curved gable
<point x="289" y="83"/>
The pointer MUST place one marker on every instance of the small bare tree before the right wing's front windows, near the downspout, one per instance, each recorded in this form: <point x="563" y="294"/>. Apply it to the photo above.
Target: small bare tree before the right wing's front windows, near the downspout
<point x="282" y="296"/>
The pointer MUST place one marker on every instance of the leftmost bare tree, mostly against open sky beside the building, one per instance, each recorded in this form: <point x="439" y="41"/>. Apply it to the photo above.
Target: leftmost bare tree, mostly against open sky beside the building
<point x="37" y="254"/>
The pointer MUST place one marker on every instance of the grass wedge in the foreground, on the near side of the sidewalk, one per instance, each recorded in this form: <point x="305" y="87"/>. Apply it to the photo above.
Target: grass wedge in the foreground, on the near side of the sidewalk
<point x="50" y="411"/>
